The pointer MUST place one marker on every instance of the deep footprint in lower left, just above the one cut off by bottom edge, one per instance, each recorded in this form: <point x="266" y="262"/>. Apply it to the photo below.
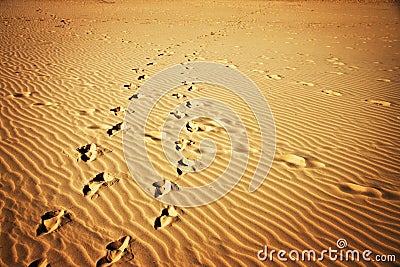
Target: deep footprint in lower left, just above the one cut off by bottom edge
<point x="53" y="220"/>
